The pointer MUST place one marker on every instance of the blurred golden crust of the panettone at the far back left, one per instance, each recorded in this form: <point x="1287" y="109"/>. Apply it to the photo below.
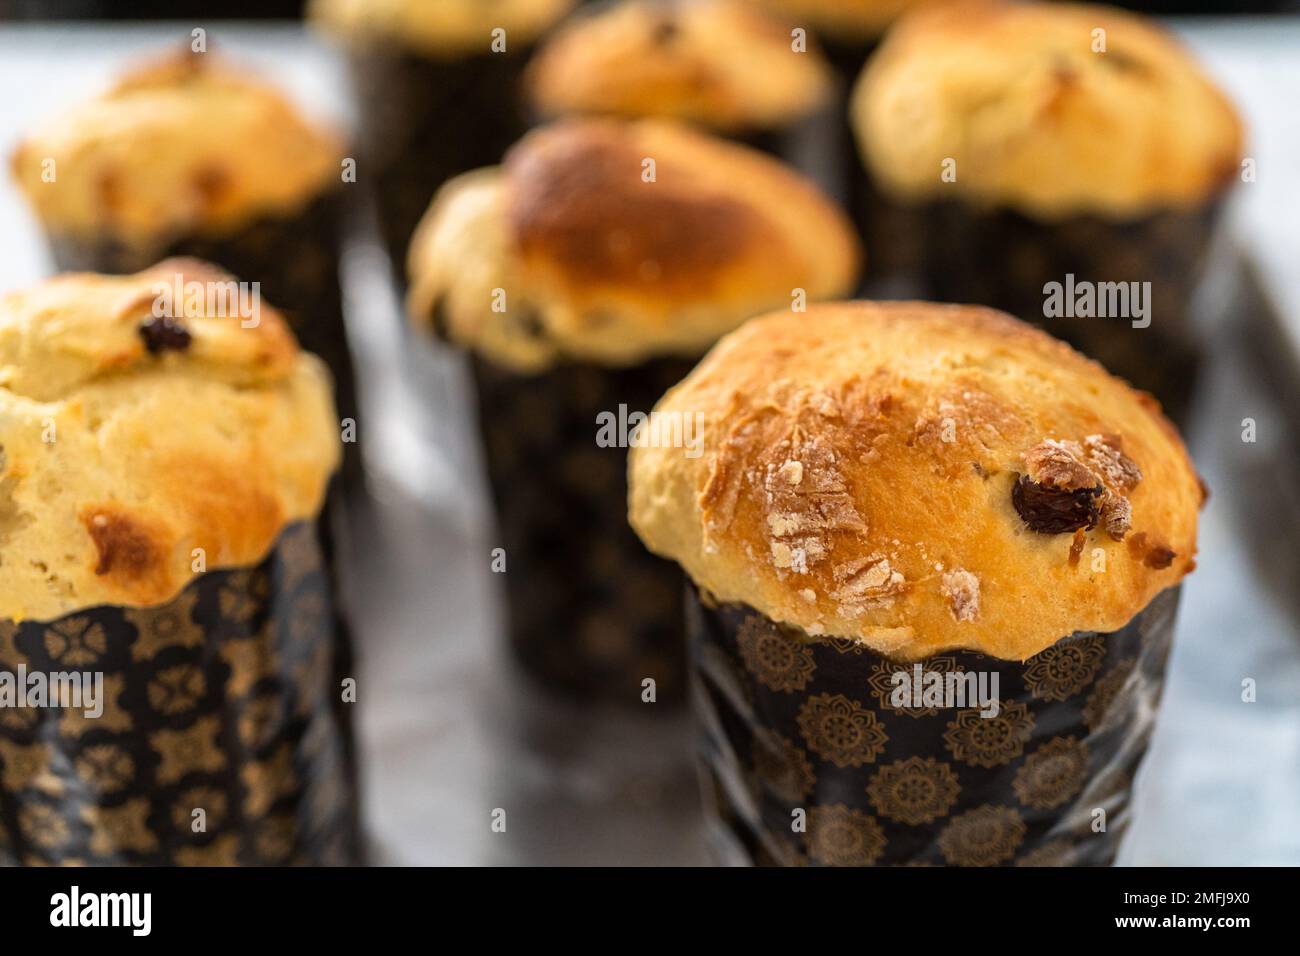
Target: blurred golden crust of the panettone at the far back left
<point x="187" y="144"/>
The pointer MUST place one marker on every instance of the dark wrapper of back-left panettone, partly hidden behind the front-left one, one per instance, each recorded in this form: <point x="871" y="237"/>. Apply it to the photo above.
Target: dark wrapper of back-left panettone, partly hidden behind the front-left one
<point x="297" y="262"/>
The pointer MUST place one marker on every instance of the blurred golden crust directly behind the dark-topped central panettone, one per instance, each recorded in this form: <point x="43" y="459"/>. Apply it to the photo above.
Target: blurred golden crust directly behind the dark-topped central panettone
<point x="718" y="63"/>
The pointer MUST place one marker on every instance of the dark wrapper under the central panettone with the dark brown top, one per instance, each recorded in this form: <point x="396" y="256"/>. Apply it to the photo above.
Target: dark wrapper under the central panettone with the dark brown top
<point x="591" y="612"/>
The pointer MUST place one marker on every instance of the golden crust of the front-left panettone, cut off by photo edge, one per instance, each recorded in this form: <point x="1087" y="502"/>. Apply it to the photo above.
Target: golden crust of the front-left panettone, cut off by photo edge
<point x="118" y="462"/>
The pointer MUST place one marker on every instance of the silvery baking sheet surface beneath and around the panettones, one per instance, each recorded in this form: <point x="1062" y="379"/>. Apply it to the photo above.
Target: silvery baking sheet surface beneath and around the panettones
<point x="449" y="733"/>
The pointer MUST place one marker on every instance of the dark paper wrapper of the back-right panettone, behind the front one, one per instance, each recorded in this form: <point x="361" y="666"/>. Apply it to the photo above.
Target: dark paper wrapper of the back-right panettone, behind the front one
<point x="1006" y="259"/>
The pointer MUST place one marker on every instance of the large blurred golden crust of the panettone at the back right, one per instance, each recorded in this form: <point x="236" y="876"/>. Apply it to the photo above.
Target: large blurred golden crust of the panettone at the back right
<point x="1038" y="119"/>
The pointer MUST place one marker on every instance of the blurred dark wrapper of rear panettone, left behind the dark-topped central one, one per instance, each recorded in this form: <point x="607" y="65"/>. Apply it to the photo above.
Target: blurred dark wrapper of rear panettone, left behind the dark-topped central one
<point x="424" y="122"/>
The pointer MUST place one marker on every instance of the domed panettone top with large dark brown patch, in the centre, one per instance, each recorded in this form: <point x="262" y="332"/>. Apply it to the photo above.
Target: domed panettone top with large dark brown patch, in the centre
<point x="614" y="243"/>
